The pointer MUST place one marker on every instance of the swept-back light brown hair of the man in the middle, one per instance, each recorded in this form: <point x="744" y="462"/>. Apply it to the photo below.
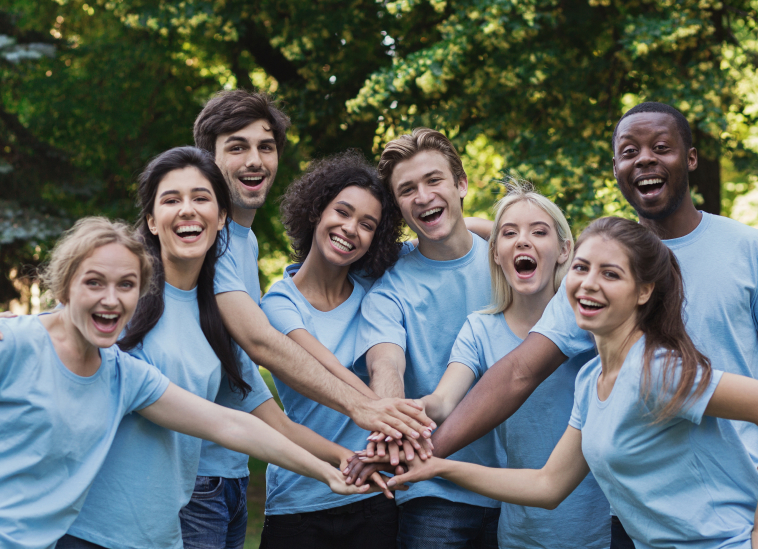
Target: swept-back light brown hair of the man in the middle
<point x="407" y="146"/>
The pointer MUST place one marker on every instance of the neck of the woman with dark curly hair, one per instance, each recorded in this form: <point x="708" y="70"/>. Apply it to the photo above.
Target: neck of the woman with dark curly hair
<point x="324" y="285"/>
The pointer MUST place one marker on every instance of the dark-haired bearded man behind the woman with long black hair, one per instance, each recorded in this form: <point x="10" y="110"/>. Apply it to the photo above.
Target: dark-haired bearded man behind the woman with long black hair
<point x="246" y="133"/>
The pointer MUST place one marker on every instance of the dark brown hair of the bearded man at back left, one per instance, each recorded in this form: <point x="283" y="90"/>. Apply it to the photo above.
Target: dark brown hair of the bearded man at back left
<point x="229" y="111"/>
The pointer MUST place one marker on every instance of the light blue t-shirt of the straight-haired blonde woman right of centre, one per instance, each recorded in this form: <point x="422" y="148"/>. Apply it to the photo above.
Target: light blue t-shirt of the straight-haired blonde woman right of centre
<point x="529" y="437"/>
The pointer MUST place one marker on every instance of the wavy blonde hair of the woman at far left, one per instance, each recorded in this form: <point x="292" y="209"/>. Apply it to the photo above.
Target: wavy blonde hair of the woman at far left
<point x="80" y="241"/>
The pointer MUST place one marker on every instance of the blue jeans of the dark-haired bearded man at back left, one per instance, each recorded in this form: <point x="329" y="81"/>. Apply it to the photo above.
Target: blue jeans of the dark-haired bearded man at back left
<point x="216" y="516"/>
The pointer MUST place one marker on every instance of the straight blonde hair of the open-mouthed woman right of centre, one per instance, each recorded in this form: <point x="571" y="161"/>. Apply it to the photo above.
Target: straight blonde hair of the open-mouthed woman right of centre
<point x="520" y="191"/>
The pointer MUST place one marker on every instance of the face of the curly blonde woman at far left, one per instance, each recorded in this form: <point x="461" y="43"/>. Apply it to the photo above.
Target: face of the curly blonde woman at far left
<point x="103" y="294"/>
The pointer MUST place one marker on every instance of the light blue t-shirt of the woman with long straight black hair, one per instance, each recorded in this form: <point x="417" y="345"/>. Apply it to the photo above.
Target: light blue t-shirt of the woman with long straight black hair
<point x="150" y="472"/>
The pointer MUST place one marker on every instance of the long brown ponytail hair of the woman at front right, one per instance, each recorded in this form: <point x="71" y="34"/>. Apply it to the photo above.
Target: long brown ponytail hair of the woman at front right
<point x="660" y="318"/>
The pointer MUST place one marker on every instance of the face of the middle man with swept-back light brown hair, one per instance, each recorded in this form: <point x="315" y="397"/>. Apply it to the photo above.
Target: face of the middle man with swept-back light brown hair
<point x="427" y="195"/>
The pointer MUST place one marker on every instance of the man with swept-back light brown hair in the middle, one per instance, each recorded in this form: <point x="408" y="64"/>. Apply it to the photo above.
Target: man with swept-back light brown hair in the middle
<point x="411" y="317"/>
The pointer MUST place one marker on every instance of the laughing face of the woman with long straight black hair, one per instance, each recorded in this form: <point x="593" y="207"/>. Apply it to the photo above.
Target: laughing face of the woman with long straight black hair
<point x="185" y="216"/>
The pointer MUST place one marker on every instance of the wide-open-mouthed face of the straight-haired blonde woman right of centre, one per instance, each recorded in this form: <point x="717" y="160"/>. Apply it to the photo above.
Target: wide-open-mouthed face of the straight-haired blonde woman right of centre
<point x="528" y="249"/>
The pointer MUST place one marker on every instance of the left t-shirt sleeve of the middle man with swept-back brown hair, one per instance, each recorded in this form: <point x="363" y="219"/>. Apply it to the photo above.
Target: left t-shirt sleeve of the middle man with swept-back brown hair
<point x="381" y="321"/>
